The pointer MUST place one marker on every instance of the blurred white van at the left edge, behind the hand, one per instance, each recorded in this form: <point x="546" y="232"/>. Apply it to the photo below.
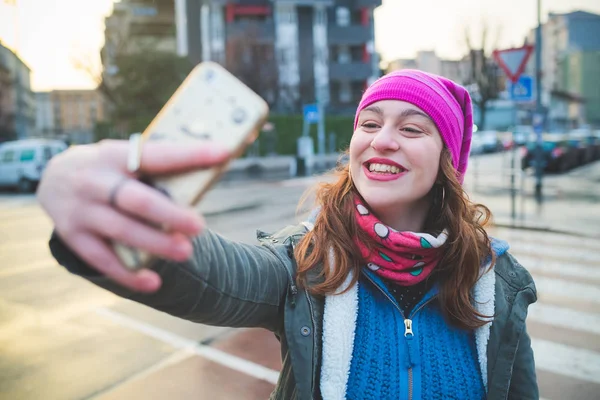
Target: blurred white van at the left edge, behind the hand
<point x="23" y="161"/>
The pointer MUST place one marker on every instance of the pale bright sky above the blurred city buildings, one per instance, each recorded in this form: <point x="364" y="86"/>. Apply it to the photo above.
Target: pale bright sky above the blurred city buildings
<point x="52" y="33"/>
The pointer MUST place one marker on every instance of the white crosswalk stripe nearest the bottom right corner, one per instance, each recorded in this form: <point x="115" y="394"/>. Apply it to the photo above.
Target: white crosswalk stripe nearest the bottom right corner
<point x="567" y="360"/>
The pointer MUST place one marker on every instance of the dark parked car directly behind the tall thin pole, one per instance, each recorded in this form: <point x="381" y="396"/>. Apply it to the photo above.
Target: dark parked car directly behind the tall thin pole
<point x="559" y="154"/>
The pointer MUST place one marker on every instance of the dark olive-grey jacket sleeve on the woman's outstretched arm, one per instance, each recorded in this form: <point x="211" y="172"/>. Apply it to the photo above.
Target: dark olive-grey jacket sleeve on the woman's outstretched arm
<point x="224" y="283"/>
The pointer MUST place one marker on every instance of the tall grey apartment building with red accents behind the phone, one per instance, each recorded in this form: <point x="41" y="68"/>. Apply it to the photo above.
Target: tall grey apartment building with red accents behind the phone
<point x="296" y="51"/>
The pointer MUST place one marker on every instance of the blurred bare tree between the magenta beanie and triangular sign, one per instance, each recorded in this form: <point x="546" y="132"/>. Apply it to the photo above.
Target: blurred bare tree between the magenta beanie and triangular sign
<point x="484" y="77"/>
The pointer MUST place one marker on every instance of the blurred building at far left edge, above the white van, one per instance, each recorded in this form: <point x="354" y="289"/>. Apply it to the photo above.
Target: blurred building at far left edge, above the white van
<point x="17" y="105"/>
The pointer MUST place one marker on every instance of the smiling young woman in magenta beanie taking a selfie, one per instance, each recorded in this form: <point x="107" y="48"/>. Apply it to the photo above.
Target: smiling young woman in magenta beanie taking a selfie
<point x="391" y="290"/>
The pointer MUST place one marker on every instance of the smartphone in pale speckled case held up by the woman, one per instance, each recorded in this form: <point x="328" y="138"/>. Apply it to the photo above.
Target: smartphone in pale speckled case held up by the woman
<point x="211" y="105"/>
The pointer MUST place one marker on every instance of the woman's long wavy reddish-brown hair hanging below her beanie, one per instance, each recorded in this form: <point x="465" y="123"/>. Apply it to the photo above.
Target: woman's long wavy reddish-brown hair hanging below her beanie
<point x="458" y="270"/>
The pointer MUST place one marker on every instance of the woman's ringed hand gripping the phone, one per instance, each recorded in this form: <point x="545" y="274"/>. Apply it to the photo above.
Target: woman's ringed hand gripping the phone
<point x="75" y="190"/>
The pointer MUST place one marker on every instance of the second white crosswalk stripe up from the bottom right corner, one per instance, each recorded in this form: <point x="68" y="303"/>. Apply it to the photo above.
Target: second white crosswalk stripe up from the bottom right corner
<point x="564" y="317"/>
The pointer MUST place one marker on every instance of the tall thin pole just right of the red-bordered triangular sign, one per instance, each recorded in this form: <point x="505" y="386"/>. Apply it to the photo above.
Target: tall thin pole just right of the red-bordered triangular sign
<point x="539" y="168"/>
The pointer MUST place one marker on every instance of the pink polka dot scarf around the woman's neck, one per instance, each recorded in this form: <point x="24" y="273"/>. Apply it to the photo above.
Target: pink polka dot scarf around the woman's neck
<point x="405" y="258"/>
